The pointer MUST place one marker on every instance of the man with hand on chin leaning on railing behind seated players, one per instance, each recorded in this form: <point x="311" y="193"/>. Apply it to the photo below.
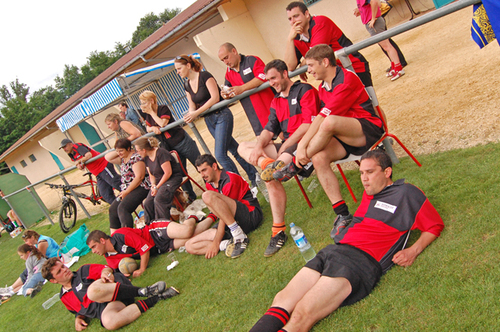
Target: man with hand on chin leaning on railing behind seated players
<point x="308" y="31"/>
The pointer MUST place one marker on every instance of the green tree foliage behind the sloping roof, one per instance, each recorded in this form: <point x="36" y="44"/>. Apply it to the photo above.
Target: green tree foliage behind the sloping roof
<point x="20" y="111"/>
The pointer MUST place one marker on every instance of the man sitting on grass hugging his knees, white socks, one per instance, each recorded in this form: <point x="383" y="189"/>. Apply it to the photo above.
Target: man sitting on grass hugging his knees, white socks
<point x="229" y="199"/>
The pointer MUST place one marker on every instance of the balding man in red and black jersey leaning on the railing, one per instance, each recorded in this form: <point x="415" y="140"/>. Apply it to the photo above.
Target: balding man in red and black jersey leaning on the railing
<point x="246" y="72"/>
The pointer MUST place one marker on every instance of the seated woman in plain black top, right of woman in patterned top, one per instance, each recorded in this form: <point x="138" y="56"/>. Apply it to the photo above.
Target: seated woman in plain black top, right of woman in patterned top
<point x="165" y="176"/>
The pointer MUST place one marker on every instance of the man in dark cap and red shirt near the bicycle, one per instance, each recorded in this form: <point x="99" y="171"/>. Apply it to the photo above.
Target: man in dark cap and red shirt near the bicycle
<point x="107" y="178"/>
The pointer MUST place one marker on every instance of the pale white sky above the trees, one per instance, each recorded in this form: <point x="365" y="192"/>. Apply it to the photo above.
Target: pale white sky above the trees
<point x="40" y="37"/>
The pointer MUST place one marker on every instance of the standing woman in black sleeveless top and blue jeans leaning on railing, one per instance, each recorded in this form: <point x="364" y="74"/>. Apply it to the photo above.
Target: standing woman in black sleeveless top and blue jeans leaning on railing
<point x="202" y="93"/>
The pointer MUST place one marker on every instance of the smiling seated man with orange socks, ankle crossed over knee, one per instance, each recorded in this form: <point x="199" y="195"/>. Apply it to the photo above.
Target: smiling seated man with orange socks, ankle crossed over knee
<point x="293" y="109"/>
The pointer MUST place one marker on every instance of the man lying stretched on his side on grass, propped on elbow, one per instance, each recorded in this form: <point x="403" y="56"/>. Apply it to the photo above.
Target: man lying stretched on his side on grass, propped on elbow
<point x="158" y="237"/>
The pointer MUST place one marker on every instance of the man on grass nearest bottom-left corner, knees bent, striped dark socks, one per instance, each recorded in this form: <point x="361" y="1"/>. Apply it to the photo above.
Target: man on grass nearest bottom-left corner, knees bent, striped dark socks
<point x="97" y="291"/>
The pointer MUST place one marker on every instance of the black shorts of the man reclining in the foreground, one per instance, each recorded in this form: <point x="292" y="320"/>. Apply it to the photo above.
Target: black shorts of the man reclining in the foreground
<point x="361" y="269"/>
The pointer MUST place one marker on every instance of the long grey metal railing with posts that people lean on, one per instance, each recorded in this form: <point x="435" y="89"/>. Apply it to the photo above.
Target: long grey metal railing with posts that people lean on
<point x="342" y="54"/>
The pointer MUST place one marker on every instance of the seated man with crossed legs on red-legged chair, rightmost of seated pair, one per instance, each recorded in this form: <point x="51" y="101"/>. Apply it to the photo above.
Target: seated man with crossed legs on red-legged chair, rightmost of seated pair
<point x="348" y="124"/>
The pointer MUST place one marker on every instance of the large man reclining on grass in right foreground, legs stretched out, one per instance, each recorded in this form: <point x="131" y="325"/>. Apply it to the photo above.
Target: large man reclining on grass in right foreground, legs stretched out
<point x="345" y="273"/>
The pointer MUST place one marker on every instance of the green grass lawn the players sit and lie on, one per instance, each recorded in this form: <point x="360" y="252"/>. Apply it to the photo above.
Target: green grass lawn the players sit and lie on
<point x="451" y="287"/>
